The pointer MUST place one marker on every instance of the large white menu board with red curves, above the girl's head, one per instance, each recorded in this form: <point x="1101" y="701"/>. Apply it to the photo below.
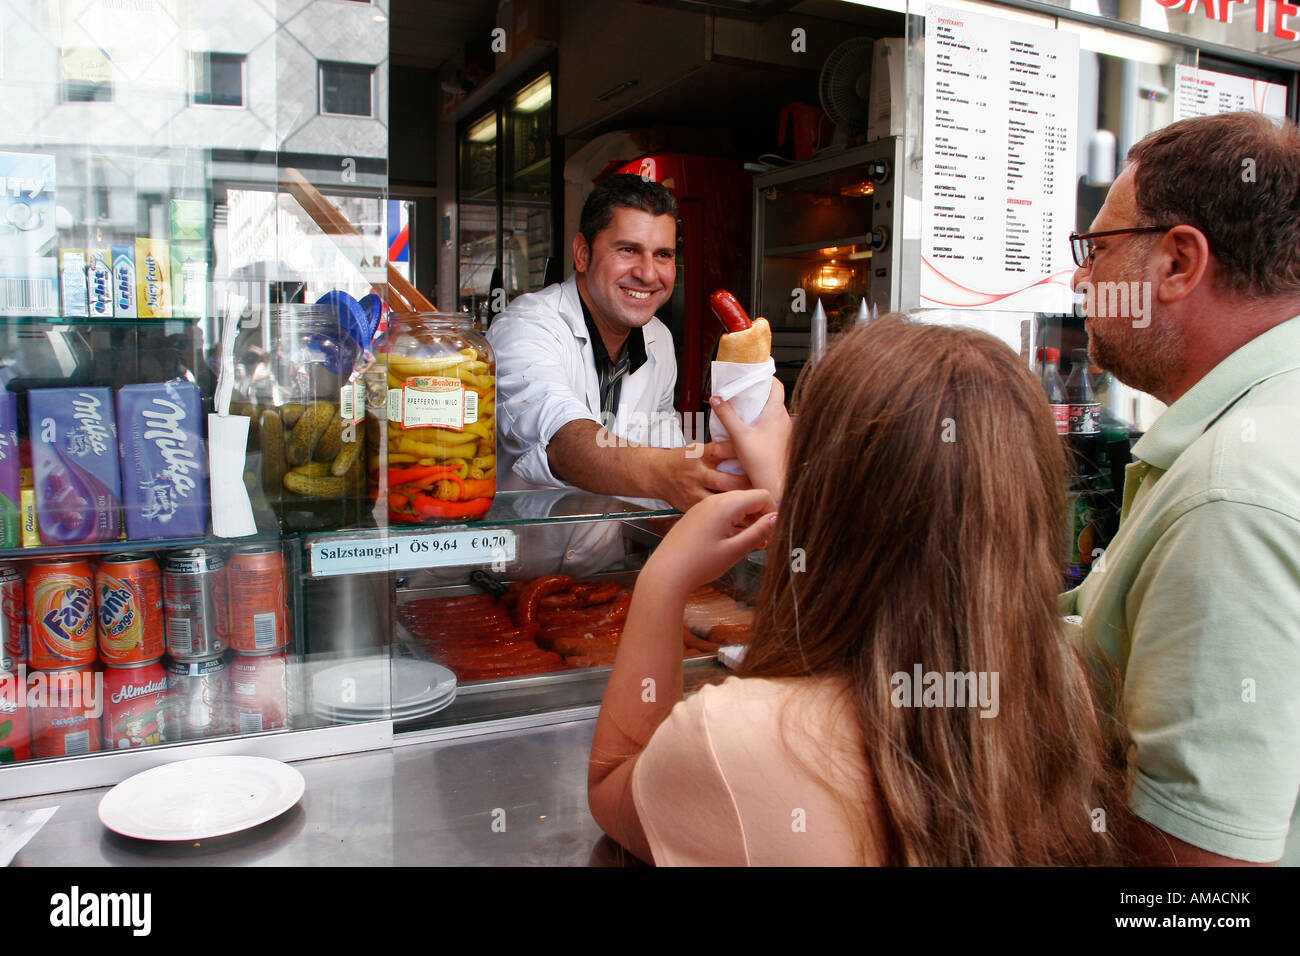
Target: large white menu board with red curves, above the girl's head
<point x="999" y="196"/>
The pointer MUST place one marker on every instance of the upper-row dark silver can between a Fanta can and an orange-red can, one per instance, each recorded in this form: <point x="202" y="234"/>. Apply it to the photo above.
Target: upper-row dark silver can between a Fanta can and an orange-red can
<point x="194" y="596"/>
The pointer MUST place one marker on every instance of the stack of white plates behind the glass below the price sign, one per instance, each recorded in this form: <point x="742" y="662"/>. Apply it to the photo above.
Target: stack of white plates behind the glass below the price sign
<point x="379" y="689"/>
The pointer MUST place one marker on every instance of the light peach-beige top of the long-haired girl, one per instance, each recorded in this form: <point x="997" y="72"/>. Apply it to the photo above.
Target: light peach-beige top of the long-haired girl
<point x="759" y="773"/>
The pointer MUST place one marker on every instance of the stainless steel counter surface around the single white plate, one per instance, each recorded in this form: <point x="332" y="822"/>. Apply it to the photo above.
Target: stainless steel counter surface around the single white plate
<point x="417" y="806"/>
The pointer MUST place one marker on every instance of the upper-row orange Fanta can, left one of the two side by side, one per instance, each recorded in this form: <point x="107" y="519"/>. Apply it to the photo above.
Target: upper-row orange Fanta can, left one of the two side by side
<point x="62" y="615"/>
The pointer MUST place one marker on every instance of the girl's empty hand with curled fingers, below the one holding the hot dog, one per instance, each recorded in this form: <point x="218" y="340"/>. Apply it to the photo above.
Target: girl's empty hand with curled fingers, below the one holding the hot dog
<point x="709" y="539"/>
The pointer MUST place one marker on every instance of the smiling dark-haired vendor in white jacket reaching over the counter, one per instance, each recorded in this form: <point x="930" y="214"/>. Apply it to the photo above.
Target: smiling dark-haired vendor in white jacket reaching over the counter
<point x="586" y="373"/>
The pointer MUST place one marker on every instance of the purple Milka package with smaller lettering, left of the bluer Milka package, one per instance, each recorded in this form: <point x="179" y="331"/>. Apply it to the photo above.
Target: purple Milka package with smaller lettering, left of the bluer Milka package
<point x="75" y="465"/>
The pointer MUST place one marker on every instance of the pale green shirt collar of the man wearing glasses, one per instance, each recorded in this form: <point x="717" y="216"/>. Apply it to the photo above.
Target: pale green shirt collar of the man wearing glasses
<point x="1186" y="421"/>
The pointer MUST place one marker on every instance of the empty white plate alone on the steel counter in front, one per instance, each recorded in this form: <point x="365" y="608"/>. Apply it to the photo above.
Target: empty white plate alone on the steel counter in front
<point x="202" y="798"/>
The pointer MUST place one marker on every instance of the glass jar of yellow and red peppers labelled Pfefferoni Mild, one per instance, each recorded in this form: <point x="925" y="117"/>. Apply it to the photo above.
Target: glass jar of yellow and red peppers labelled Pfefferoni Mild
<point x="441" y="419"/>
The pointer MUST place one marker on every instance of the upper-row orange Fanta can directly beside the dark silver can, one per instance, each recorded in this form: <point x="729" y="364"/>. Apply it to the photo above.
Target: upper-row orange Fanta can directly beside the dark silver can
<point x="129" y="608"/>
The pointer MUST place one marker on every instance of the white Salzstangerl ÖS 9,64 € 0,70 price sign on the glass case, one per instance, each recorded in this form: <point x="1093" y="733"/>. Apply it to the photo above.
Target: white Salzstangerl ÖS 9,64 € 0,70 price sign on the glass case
<point x="410" y="552"/>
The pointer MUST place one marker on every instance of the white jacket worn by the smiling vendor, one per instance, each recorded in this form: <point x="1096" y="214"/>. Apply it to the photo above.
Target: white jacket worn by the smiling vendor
<point x="547" y="378"/>
